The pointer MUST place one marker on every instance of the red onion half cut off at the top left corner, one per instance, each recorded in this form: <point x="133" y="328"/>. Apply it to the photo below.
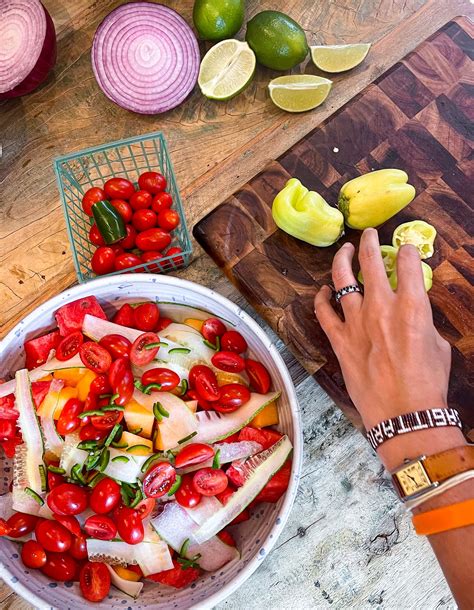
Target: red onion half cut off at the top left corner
<point x="27" y="46"/>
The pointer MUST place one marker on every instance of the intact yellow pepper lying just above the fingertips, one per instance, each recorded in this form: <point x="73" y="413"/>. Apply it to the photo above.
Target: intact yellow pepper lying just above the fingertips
<point x="371" y="199"/>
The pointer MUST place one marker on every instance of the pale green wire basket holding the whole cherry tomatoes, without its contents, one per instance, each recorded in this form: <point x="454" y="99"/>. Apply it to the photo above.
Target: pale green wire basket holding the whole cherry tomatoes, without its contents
<point x="77" y="172"/>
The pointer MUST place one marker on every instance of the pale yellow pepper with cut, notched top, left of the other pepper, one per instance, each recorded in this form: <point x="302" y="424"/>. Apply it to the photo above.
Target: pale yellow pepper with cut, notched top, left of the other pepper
<point x="305" y="215"/>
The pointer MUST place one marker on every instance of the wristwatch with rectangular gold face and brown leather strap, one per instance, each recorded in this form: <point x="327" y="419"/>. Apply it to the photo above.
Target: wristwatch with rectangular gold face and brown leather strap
<point x="415" y="477"/>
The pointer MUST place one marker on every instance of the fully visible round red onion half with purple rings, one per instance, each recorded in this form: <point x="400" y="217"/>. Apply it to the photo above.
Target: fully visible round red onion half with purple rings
<point x="145" y="57"/>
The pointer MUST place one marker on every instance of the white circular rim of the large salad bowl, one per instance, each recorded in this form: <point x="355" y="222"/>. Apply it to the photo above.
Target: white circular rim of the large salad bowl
<point x="285" y="508"/>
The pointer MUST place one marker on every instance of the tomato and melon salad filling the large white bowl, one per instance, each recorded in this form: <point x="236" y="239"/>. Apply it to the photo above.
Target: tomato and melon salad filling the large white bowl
<point x="147" y="437"/>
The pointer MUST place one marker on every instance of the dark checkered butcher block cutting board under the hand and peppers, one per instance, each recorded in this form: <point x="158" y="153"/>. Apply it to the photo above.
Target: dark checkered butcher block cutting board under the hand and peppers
<point x="416" y="117"/>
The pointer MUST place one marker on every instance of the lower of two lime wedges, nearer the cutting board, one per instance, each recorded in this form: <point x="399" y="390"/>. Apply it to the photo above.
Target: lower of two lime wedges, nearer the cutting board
<point x="299" y="92"/>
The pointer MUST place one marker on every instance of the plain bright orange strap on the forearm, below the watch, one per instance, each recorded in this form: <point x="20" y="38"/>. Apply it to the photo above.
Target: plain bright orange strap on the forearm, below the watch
<point x="444" y="518"/>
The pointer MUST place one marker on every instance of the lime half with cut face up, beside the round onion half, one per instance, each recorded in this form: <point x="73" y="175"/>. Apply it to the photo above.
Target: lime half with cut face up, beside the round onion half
<point x="226" y="69"/>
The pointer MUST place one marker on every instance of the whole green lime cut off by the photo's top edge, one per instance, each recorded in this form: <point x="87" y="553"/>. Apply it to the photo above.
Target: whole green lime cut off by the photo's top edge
<point x="218" y="19"/>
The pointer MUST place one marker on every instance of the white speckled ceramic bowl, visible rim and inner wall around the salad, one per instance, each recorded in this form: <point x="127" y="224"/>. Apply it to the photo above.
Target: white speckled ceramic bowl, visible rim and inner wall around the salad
<point x="255" y="538"/>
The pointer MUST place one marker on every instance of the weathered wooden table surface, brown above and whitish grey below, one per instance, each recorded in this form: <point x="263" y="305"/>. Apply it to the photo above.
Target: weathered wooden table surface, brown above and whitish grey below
<point x="347" y="542"/>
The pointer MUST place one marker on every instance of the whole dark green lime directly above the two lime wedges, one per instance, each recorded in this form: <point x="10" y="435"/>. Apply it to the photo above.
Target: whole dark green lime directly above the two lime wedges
<point x="277" y="40"/>
